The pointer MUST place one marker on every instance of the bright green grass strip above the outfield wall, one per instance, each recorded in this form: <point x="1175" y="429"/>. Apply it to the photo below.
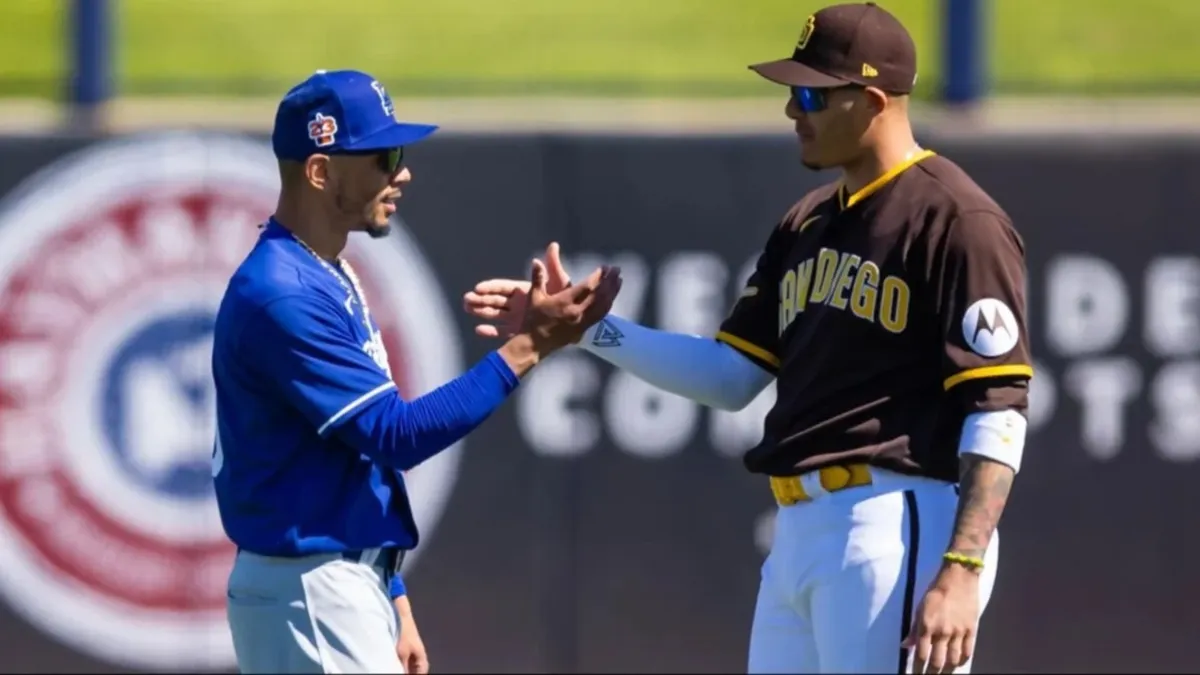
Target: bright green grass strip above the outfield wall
<point x="601" y="47"/>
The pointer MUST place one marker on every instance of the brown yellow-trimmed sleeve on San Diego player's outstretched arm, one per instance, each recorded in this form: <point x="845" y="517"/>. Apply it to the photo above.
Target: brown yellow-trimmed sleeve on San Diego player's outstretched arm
<point x="753" y="325"/>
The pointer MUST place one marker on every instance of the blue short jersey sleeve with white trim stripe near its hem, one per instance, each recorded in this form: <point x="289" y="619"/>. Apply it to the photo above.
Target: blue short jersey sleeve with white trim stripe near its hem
<point x="307" y="350"/>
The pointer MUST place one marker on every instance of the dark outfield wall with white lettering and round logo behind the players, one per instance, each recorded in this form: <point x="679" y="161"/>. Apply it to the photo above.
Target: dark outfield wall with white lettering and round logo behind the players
<point x="593" y="524"/>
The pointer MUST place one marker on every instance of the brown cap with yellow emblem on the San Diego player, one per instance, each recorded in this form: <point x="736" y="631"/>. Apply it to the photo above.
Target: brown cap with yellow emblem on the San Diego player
<point x="853" y="44"/>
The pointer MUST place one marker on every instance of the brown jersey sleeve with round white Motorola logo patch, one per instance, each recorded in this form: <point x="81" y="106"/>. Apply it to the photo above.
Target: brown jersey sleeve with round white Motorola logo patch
<point x="980" y="283"/>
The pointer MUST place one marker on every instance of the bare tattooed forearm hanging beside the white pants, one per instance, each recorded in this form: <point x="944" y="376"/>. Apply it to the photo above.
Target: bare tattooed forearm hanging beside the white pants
<point x="983" y="492"/>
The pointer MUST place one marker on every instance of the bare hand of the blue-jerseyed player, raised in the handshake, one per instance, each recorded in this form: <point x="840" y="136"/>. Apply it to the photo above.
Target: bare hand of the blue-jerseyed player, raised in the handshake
<point x="555" y="320"/>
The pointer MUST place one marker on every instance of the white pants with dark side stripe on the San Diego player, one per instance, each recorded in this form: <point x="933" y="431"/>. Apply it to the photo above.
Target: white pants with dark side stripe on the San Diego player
<point x="847" y="572"/>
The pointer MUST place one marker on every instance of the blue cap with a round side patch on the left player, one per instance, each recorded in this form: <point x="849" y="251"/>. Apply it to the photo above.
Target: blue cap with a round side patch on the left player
<point x="340" y="112"/>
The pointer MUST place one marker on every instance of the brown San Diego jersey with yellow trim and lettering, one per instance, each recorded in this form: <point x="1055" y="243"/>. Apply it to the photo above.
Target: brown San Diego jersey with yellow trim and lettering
<point x="887" y="318"/>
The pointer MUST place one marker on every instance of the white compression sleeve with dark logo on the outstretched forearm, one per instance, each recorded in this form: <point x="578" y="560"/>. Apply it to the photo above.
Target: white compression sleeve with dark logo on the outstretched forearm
<point x="710" y="373"/>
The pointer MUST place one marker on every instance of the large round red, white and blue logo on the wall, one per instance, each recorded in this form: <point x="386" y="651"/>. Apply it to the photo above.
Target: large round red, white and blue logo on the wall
<point x="113" y="262"/>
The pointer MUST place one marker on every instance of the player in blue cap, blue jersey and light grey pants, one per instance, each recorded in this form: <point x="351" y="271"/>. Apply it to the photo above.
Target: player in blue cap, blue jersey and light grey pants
<point x="313" y="434"/>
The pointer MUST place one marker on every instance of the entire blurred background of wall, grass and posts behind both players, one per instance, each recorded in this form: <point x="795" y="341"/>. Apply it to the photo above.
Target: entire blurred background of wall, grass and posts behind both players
<point x="595" y="524"/>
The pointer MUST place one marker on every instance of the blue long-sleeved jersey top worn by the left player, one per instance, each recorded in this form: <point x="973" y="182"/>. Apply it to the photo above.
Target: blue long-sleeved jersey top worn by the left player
<point x="313" y="435"/>
